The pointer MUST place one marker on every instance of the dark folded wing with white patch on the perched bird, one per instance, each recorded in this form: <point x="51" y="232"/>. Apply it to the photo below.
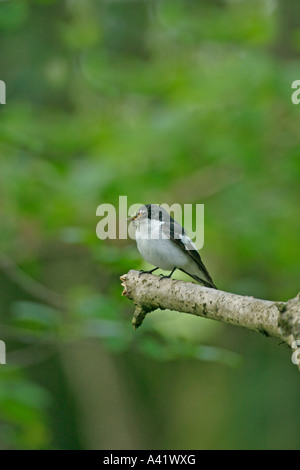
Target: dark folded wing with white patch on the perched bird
<point x="178" y="235"/>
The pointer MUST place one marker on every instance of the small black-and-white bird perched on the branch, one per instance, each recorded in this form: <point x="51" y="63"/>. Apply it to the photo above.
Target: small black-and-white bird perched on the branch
<point x="164" y="243"/>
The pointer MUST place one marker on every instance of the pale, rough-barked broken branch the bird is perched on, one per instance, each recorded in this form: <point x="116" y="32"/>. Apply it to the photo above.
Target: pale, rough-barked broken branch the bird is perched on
<point x="278" y="319"/>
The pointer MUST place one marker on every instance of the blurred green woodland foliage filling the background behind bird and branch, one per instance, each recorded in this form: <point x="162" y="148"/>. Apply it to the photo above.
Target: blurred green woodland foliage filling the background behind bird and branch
<point x="162" y="101"/>
